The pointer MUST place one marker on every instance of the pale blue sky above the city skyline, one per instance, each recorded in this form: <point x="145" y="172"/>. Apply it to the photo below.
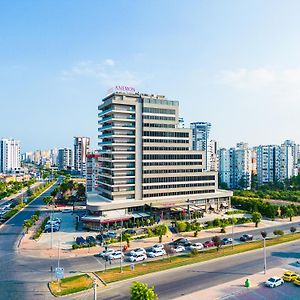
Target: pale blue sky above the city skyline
<point x="235" y="64"/>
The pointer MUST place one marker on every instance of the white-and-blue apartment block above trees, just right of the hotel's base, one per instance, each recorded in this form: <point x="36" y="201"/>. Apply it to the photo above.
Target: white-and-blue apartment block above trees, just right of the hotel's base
<point x="235" y="166"/>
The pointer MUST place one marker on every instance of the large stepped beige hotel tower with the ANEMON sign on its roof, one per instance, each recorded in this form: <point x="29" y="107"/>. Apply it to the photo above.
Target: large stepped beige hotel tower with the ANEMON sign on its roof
<point x="147" y="164"/>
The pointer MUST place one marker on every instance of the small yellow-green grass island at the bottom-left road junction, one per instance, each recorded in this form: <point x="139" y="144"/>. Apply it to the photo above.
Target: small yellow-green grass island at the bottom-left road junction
<point x="71" y="285"/>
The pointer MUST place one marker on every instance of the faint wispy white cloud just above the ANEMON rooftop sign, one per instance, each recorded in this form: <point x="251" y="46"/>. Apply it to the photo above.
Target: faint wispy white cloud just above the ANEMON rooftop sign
<point x="103" y="73"/>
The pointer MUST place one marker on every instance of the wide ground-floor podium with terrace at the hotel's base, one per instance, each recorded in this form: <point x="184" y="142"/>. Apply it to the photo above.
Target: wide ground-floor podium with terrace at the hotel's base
<point x="105" y="215"/>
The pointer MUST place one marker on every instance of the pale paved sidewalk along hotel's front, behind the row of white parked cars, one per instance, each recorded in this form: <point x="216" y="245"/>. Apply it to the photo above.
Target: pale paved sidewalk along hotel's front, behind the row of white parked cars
<point x="68" y="234"/>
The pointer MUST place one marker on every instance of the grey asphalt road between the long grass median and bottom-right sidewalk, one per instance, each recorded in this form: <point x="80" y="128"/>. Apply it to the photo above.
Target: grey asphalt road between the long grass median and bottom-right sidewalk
<point x="185" y="280"/>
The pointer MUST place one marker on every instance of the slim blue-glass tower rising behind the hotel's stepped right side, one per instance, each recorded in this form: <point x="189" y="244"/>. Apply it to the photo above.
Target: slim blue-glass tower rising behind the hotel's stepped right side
<point x="200" y="139"/>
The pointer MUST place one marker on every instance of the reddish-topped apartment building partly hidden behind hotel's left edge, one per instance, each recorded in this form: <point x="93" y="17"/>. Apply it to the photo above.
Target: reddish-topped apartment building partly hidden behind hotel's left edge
<point x="93" y="166"/>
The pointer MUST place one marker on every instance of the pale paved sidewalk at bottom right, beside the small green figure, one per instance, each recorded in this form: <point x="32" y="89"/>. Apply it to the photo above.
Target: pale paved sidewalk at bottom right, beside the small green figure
<point x="233" y="288"/>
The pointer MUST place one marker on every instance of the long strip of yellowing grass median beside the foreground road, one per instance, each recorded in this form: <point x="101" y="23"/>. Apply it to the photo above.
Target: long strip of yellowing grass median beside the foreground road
<point x="113" y="275"/>
